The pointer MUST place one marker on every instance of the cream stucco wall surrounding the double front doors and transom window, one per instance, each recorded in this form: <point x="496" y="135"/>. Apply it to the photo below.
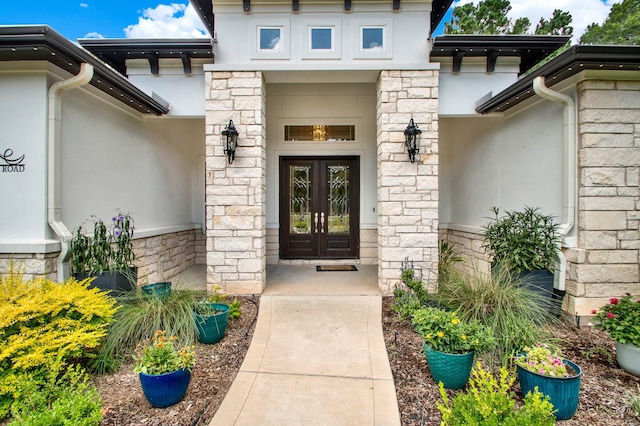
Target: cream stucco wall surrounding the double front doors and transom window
<point x="323" y="104"/>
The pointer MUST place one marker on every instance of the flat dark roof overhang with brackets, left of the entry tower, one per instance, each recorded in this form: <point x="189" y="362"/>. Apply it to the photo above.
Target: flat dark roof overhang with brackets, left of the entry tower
<point x="115" y="52"/>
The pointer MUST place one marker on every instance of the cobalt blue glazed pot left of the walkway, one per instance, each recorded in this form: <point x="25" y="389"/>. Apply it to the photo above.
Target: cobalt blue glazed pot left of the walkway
<point x="163" y="390"/>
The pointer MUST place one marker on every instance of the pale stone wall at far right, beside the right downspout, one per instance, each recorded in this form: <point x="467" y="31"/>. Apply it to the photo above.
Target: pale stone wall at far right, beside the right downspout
<point x="606" y="262"/>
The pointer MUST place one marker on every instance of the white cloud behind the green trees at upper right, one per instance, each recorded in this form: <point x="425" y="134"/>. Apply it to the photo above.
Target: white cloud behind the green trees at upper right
<point x="583" y="12"/>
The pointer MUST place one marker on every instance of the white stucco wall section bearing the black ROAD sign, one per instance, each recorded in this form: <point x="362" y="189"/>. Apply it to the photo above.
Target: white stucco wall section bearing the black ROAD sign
<point x="23" y="114"/>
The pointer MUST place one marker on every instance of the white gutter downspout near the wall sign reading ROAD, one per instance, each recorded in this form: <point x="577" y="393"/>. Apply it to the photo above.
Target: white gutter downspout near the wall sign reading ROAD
<point x="54" y="206"/>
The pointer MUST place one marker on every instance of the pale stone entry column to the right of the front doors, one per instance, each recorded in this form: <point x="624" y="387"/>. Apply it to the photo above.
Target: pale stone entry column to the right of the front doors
<point x="407" y="192"/>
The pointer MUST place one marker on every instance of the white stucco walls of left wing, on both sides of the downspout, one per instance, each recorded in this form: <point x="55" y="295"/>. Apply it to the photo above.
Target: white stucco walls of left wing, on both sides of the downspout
<point x="111" y="157"/>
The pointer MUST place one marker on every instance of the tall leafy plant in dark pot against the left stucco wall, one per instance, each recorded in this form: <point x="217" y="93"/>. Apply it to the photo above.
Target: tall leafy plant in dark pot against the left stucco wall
<point x="107" y="254"/>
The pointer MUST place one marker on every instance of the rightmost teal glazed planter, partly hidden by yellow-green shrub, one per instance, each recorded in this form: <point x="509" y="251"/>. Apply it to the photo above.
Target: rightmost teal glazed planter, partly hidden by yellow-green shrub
<point x="563" y="392"/>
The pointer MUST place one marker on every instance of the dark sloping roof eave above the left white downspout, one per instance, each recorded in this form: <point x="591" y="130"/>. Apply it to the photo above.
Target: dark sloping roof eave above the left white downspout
<point x="41" y="43"/>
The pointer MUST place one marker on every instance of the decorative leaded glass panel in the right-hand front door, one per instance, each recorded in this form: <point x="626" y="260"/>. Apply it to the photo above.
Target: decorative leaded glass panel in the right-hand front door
<point x="338" y="185"/>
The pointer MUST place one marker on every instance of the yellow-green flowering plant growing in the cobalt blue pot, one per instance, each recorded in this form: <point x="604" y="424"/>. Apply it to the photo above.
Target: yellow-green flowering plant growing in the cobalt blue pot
<point x="162" y="355"/>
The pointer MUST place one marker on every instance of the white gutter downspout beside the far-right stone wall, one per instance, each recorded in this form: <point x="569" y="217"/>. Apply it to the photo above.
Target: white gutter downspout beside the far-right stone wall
<point x="569" y="208"/>
